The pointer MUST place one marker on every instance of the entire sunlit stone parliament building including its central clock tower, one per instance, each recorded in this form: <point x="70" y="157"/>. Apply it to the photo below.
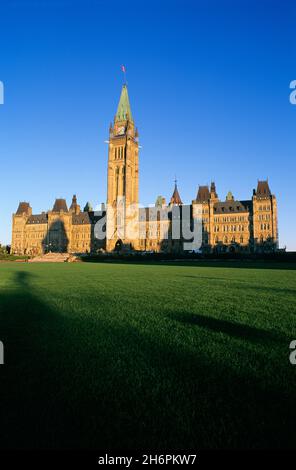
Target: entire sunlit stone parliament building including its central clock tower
<point x="223" y="226"/>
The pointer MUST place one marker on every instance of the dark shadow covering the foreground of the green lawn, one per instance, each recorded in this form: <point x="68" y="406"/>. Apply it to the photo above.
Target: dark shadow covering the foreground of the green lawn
<point x="94" y="382"/>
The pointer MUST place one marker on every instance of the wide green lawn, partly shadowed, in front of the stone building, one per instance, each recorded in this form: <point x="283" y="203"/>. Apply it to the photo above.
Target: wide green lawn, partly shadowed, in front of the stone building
<point x="147" y="356"/>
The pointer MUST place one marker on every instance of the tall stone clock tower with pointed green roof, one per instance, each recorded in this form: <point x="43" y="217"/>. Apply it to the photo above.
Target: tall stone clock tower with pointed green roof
<point x="123" y="179"/>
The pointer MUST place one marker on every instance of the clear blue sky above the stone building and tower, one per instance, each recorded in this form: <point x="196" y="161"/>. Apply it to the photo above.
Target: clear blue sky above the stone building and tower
<point x="208" y="84"/>
